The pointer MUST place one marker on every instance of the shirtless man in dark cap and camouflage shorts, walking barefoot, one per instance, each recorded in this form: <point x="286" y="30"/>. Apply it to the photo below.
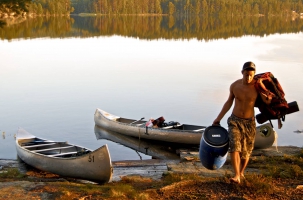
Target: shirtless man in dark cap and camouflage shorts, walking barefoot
<point x="241" y="124"/>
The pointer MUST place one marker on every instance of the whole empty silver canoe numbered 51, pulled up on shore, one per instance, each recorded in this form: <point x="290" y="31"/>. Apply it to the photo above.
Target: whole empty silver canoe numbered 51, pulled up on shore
<point x="64" y="159"/>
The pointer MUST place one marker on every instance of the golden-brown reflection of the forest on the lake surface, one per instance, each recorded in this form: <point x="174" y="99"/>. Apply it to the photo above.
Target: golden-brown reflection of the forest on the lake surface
<point x="151" y="27"/>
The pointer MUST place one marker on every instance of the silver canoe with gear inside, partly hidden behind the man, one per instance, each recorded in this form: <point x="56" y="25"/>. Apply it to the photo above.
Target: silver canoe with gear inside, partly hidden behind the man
<point x="183" y="133"/>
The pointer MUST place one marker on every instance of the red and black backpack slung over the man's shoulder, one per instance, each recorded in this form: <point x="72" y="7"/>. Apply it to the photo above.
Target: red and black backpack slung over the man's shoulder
<point x="271" y="101"/>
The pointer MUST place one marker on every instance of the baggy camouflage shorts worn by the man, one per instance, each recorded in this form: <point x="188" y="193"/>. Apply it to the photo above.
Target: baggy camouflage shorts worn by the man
<point x="242" y="134"/>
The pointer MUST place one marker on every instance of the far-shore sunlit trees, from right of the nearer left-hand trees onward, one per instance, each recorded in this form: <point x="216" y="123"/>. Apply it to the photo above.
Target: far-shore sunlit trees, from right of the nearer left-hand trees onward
<point x="189" y="7"/>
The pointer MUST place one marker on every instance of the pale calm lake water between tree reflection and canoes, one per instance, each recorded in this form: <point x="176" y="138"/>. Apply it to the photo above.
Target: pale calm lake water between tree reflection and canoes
<point x="52" y="86"/>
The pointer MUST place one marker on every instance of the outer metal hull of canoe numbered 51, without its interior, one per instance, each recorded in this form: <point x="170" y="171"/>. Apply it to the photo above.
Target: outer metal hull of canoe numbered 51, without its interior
<point x="94" y="166"/>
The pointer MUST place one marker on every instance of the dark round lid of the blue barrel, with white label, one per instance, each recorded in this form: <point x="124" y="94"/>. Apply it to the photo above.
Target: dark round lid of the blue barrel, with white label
<point x="216" y="135"/>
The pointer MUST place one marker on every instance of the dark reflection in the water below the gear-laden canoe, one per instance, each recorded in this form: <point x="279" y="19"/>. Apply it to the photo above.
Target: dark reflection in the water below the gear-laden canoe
<point x="156" y="149"/>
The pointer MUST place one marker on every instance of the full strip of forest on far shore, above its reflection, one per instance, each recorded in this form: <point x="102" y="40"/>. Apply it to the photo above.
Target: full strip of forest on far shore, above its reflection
<point x="153" y="7"/>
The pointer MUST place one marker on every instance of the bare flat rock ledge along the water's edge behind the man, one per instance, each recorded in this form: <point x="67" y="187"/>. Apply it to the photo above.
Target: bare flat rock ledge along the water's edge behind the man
<point x="188" y="163"/>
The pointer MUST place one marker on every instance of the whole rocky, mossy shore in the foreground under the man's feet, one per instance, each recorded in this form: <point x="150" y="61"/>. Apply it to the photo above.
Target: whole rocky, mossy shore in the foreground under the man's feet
<point x="184" y="178"/>
